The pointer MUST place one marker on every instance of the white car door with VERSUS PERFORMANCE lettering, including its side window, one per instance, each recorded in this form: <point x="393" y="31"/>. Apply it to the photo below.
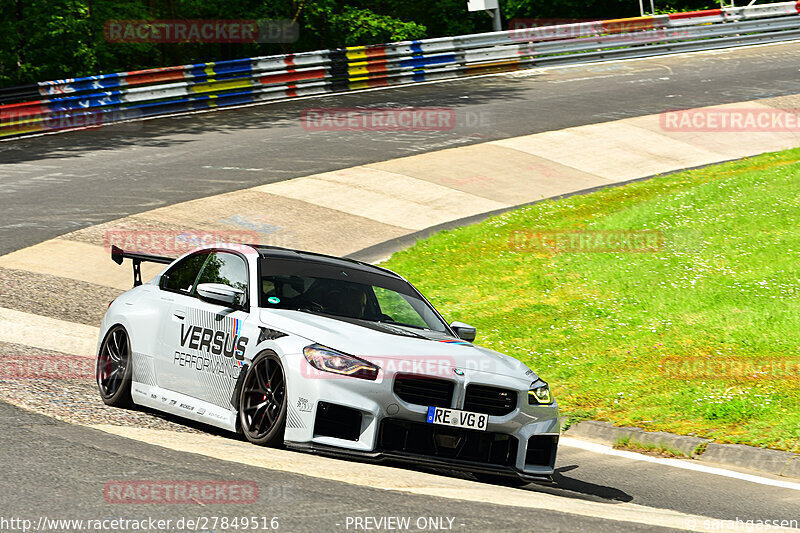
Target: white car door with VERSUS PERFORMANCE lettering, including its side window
<point x="209" y="341"/>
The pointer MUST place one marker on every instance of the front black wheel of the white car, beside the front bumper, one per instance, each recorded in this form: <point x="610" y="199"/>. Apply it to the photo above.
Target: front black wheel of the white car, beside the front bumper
<point x="262" y="401"/>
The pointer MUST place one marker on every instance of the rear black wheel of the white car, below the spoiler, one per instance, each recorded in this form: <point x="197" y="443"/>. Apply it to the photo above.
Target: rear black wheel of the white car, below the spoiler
<point x="113" y="369"/>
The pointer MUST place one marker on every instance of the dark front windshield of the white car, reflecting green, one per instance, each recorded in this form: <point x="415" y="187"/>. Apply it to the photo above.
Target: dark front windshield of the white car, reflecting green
<point x="345" y="293"/>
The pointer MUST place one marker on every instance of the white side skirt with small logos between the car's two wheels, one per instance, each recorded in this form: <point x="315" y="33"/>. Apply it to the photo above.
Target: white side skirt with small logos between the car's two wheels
<point x="182" y="405"/>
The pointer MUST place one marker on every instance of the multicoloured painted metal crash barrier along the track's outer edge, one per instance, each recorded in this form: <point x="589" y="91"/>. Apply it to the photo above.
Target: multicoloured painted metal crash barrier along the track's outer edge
<point x="107" y="98"/>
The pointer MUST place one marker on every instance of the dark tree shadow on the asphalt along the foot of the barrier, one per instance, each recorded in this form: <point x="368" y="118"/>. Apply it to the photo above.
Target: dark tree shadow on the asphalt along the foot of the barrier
<point x="284" y="117"/>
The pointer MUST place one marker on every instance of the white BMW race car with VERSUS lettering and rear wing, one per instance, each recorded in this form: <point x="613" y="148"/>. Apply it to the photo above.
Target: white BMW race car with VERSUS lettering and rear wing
<point x="322" y="354"/>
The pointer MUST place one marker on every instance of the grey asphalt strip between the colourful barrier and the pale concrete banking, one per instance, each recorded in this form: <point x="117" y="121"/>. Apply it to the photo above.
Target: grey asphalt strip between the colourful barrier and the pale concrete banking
<point x="54" y="184"/>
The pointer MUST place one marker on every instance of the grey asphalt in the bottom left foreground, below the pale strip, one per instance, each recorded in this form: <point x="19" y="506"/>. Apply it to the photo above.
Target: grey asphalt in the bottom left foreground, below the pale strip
<point x="73" y="489"/>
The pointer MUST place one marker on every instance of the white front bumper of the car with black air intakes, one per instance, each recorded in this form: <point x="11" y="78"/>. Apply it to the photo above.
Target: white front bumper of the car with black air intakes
<point x="352" y="417"/>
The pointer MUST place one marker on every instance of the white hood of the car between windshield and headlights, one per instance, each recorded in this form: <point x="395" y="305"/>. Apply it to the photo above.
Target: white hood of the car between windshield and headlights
<point x="386" y="345"/>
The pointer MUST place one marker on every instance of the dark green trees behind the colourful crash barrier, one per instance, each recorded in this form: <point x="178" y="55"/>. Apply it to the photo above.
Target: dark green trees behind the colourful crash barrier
<point x="52" y="39"/>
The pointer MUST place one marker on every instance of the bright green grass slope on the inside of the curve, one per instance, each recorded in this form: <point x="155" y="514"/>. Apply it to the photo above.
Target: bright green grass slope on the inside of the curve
<point x="609" y="330"/>
